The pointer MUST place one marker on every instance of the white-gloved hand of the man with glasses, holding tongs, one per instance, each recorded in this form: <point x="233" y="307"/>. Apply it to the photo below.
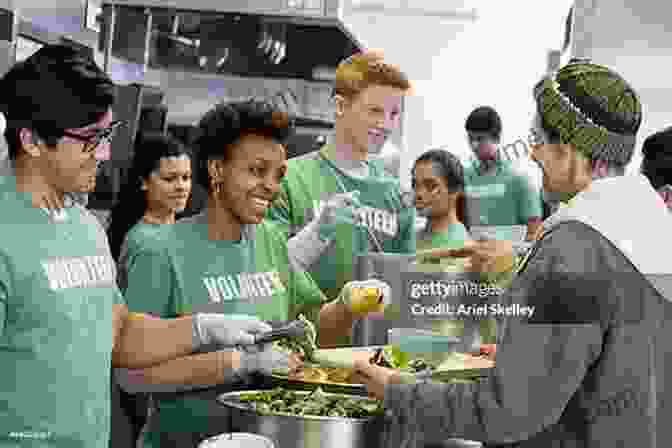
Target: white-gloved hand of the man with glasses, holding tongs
<point x="221" y="330"/>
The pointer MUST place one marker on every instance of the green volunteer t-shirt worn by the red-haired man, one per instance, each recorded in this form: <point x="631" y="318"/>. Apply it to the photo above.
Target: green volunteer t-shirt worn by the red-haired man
<point x="313" y="179"/>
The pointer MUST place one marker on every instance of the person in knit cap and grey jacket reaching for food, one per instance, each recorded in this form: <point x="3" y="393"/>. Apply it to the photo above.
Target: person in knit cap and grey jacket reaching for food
<point x="579" y="371"/>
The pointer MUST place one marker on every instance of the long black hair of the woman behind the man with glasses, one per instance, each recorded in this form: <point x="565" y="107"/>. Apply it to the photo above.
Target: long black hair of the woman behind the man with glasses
<point x="149" y="149"/>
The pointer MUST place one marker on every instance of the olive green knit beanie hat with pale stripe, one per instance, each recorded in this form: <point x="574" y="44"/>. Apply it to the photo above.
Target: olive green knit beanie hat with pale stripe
<point x="592" y="108"/>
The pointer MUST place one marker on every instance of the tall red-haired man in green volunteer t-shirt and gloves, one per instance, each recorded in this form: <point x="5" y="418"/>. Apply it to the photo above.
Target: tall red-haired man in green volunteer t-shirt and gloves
<point x="338" y="202"/>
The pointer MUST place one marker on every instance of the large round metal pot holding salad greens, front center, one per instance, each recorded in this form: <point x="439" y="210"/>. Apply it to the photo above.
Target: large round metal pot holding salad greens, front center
<point x="305" y="431"/>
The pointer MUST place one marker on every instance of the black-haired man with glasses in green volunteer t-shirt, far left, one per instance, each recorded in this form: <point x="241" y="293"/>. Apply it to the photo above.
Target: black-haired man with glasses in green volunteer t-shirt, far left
<point x="63" y="321"/>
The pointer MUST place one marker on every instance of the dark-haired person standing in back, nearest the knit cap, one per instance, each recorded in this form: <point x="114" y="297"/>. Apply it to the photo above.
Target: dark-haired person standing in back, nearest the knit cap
<point x="497" y="196"/>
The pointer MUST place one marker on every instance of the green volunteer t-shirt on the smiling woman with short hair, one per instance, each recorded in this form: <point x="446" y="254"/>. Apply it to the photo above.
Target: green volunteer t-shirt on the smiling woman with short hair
<point x="181" y="271"/>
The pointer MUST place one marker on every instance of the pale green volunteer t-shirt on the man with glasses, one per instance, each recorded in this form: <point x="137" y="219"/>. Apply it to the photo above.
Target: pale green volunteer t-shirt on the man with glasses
<point x="57" y="291"/>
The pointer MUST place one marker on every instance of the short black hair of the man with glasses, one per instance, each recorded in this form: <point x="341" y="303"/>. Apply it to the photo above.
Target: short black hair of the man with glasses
<point x="34" y="92"/>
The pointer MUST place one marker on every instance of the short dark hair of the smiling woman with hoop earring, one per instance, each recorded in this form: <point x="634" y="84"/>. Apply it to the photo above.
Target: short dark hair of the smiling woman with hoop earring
<point x="224" y="125"/>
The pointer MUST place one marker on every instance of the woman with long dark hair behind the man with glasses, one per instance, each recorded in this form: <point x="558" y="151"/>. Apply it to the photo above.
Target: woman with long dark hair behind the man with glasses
<point x="158" y="186"/>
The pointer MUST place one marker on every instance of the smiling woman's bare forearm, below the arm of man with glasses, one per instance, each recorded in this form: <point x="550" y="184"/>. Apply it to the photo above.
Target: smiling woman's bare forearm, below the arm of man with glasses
<point x="203" y="370"/>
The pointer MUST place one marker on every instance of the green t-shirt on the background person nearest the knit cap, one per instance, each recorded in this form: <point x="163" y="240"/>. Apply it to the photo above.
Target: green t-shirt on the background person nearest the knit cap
<point x="505" y="198"/>
